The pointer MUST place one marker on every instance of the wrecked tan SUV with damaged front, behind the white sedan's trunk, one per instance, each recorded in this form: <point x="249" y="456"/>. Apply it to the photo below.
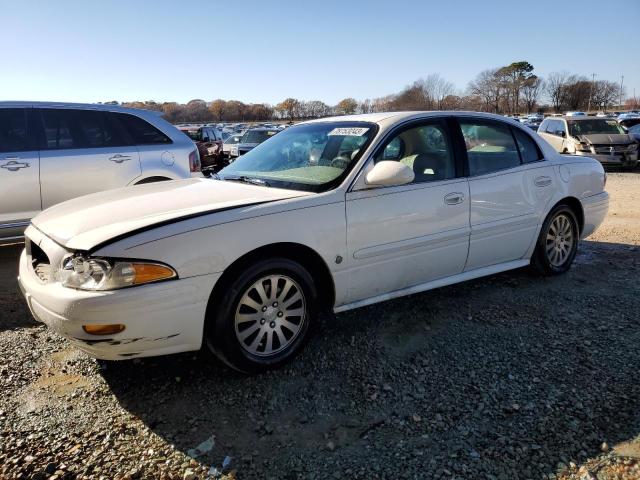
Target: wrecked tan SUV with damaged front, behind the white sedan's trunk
<point x="599" y="138"/>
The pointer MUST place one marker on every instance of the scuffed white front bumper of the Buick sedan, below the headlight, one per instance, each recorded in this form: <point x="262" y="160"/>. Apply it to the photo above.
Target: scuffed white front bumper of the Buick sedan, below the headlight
<point x="159" y="319"/>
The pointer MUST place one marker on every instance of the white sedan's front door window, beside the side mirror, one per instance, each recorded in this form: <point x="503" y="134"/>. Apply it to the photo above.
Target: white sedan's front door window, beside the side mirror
<point x="425" y="149"/>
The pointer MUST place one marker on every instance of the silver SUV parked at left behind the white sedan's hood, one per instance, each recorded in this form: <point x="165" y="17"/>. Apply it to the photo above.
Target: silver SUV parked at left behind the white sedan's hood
<point x="51" y="152"/>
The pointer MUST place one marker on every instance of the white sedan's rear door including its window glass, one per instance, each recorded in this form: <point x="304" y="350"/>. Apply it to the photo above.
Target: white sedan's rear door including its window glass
<point x="510" y="186"/>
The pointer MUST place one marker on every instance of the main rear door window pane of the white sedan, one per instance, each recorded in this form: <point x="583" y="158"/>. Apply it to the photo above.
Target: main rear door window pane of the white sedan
<point x="490" y="147"/>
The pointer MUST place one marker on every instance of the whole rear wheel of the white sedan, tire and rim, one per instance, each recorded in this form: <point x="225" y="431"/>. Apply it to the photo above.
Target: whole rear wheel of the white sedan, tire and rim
<point x="558" y="242"/>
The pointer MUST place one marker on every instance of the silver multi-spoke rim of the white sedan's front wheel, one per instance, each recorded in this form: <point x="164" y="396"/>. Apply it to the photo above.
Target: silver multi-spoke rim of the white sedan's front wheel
<point x="270" y="315"/>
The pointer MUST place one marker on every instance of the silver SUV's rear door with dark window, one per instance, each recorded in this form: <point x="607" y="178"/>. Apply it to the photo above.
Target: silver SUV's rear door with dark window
<point x="83" y="151"/>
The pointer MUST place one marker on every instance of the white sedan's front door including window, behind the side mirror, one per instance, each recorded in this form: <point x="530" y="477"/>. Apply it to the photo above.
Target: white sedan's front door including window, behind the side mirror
<point x="402" y="236"/>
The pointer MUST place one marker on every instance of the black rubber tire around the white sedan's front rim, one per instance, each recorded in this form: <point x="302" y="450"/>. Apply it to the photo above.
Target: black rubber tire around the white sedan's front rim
<point x="220" y="326"/>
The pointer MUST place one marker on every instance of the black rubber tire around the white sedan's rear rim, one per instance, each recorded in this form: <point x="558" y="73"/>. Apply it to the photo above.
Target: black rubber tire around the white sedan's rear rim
<point x="542" y="261"/>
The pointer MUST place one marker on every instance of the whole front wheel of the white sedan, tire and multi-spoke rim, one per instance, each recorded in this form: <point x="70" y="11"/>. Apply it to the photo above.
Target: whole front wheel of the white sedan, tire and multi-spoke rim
<point x="264" y="317"/>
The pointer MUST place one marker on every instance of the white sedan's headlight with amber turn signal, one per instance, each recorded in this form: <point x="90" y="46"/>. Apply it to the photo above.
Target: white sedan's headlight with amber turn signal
<point x="105" y="274"/>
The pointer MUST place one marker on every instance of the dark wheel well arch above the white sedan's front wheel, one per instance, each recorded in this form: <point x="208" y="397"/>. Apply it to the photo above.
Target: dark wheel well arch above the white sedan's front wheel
<point x="305" y="256"/>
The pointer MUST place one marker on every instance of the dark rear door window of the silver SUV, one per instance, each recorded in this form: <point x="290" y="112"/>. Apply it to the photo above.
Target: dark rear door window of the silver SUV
<point x="79" y="129"/>
